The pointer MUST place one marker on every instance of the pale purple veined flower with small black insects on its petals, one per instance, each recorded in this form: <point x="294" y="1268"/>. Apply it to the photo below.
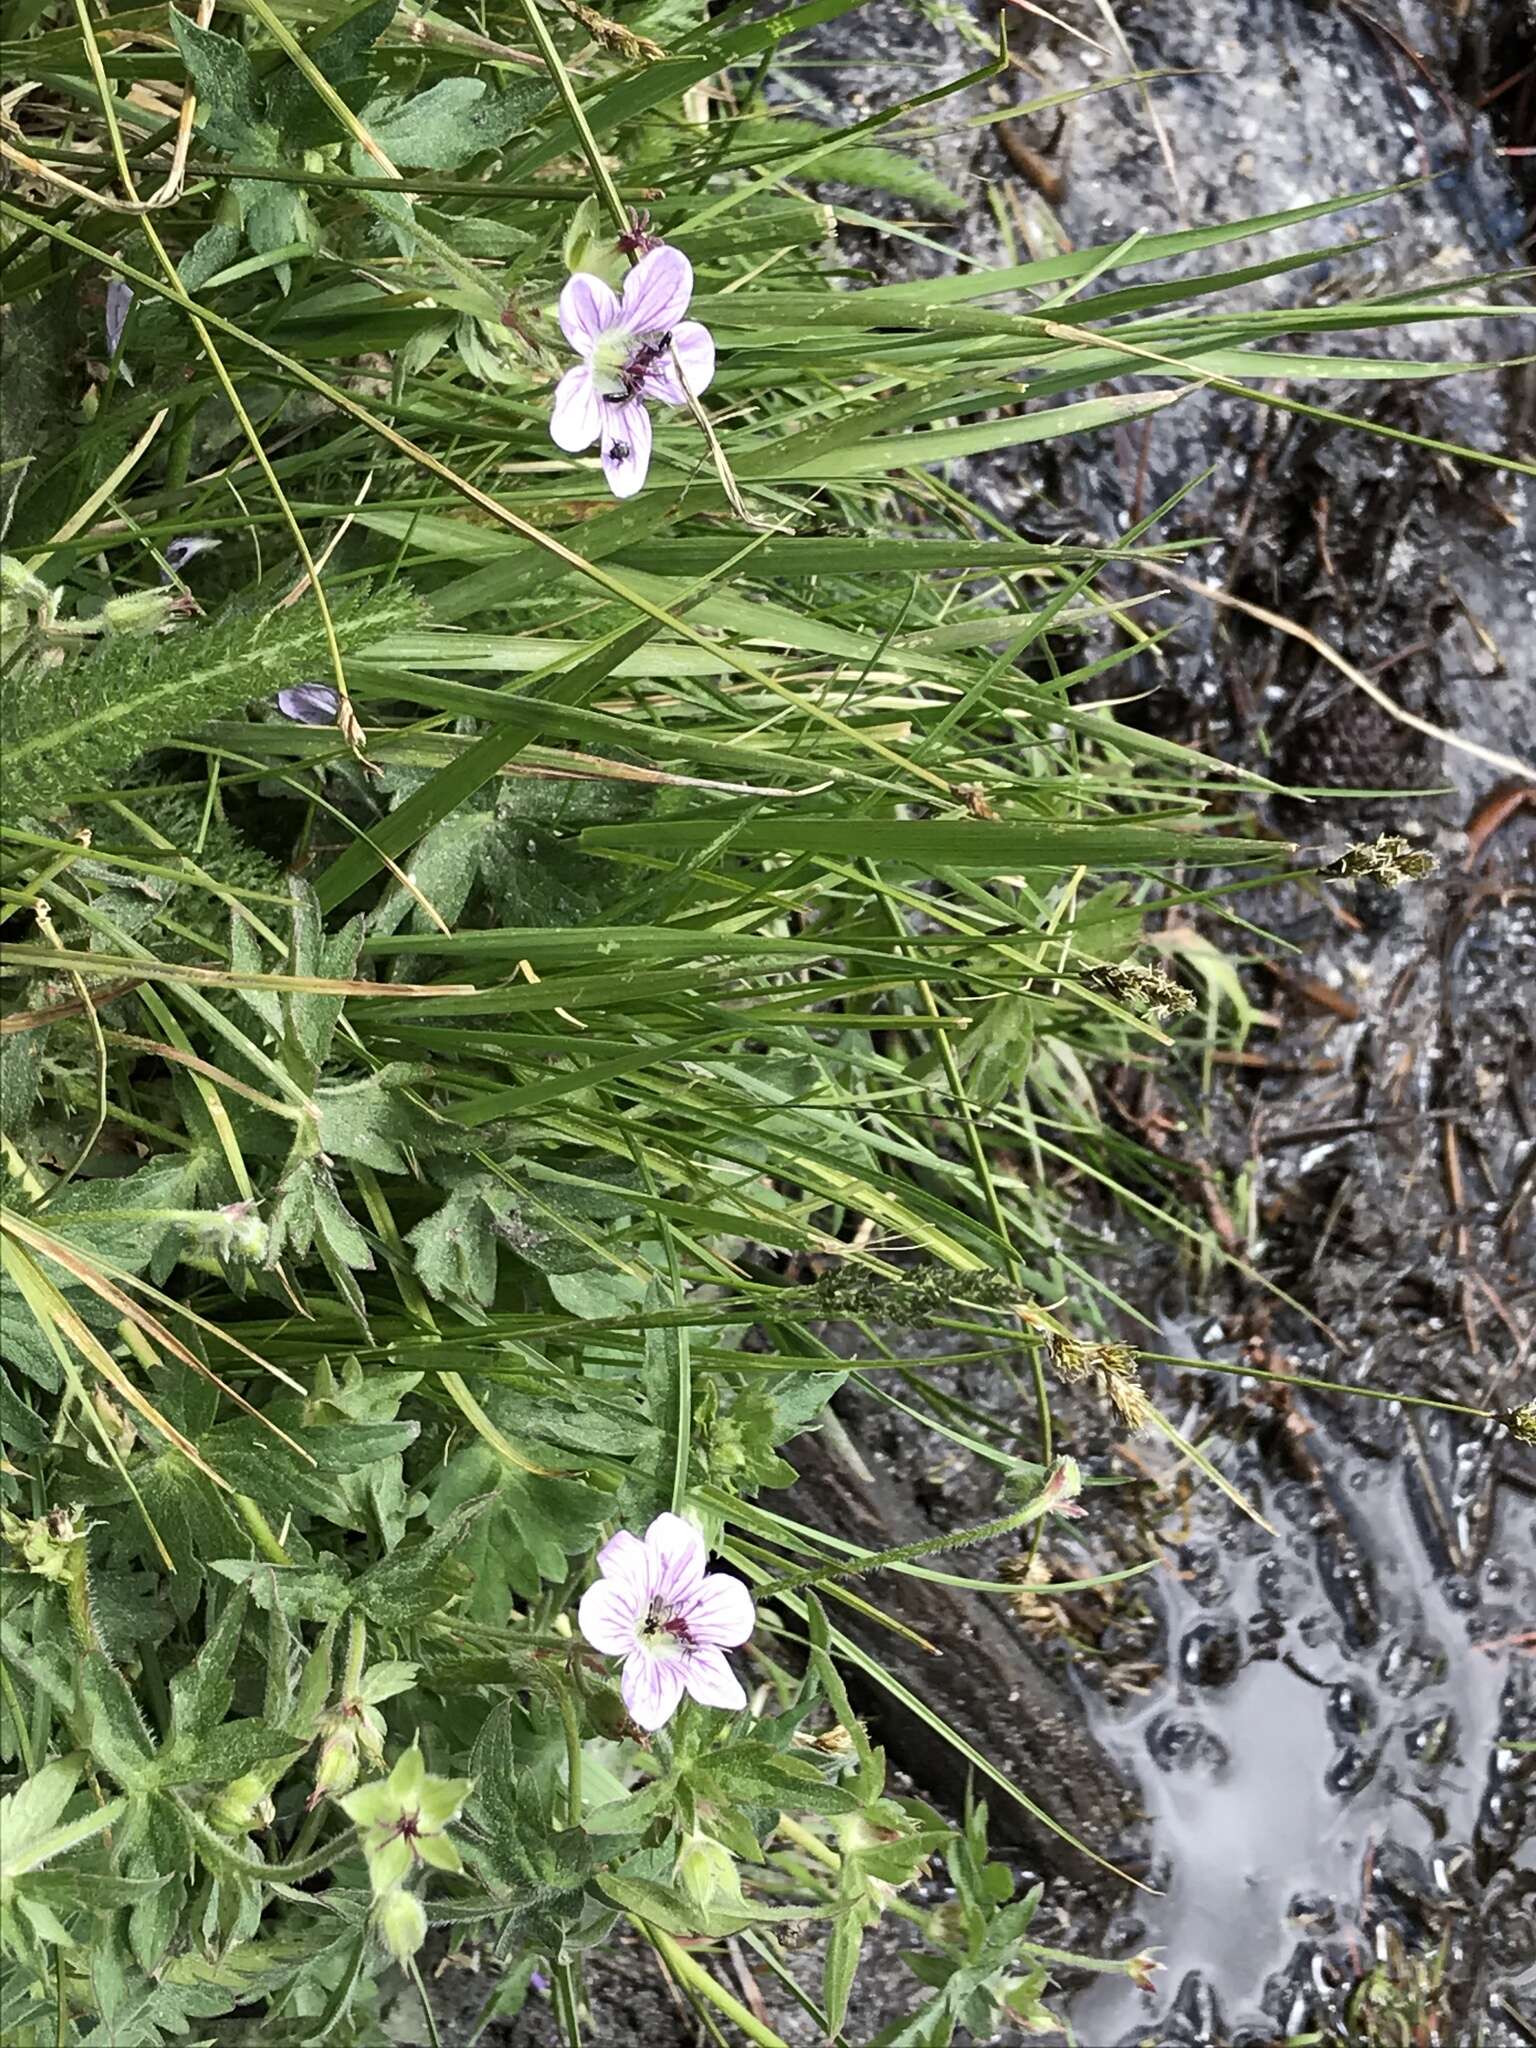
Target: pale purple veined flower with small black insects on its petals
<point x="636" y="347"/>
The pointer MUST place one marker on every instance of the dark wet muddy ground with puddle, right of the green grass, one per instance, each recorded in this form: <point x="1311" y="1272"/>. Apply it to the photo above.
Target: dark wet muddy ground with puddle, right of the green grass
<point x="1320" y="1723"/>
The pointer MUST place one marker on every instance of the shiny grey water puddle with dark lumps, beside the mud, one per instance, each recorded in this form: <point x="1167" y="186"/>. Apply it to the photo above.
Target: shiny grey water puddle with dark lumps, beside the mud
<point x="1328" y="1754"/>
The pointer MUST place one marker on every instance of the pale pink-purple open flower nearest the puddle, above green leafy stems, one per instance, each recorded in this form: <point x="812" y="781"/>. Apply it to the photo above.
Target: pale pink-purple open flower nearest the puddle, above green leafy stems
<point x="669" y="1619"/>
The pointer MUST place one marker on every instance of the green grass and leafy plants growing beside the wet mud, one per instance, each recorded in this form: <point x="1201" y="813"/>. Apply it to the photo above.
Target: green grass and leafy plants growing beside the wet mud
<point x="400" y="1109"/>
